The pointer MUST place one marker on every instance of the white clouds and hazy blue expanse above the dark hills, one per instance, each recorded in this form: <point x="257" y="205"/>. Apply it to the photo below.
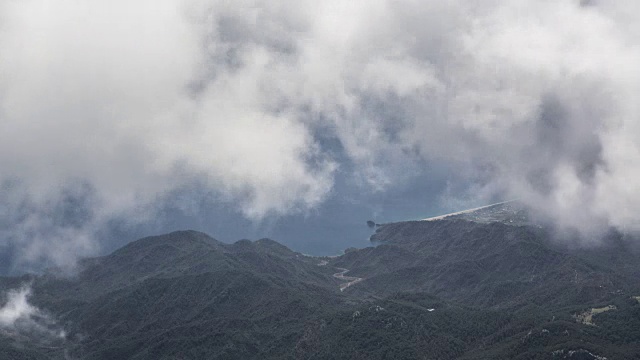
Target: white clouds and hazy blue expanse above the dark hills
<point x="301" y="120"/>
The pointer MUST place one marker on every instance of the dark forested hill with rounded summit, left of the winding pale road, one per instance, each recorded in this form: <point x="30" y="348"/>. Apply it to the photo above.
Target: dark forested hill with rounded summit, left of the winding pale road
<point x="166" y="289"/>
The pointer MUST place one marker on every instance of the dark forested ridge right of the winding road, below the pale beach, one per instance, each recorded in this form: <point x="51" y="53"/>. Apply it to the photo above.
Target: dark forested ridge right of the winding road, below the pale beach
<point x="494" y="264"/>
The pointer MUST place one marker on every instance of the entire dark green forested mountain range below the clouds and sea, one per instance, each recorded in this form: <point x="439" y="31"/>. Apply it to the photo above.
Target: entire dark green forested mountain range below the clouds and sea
<point x="457" y="288"/>
